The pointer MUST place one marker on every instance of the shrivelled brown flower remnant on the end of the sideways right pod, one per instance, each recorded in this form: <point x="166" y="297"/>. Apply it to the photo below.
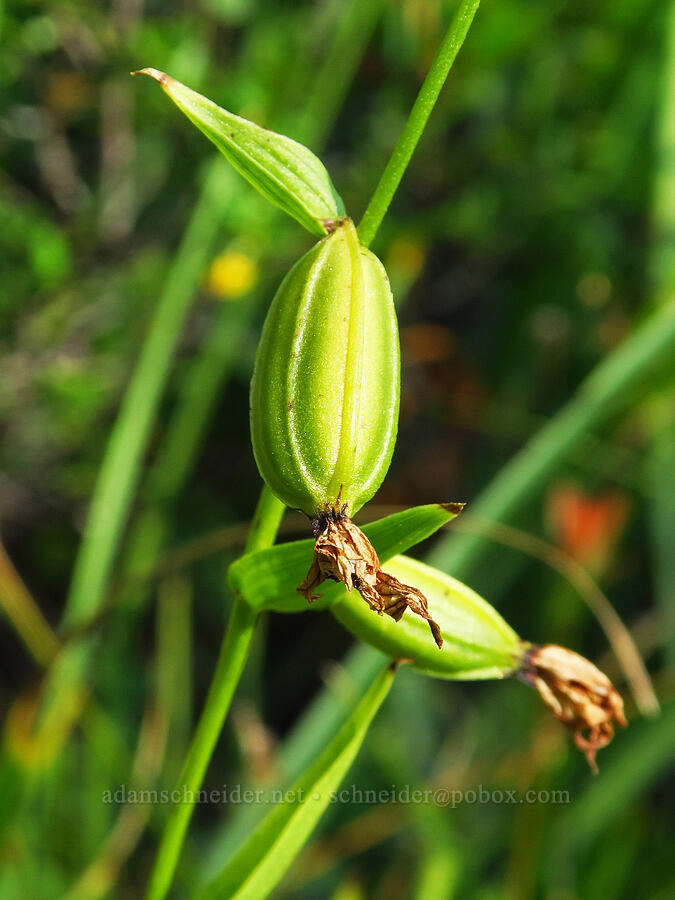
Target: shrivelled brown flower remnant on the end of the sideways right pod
<point x="579" y="695"/>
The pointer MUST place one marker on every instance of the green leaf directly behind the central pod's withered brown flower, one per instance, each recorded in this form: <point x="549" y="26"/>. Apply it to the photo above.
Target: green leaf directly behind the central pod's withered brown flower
<point x="268" y="579"/>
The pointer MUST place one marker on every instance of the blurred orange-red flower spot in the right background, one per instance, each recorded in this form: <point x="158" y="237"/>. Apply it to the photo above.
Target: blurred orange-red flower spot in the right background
<point x="585" y="527"/>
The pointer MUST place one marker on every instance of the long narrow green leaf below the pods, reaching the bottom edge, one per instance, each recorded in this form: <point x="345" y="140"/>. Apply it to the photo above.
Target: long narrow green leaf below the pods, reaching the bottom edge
<point x="260" y="863"/>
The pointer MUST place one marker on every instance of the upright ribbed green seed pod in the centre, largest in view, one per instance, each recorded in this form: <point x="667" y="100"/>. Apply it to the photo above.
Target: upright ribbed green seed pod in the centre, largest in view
<point x="325" y="389"/>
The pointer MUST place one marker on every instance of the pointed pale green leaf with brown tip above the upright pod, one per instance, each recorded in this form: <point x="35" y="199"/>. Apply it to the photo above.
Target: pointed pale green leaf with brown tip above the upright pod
<point x="285" y="172"/>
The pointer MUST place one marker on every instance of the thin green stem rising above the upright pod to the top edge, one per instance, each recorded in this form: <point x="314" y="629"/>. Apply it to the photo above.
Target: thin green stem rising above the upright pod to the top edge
<point x="417" y="120"/>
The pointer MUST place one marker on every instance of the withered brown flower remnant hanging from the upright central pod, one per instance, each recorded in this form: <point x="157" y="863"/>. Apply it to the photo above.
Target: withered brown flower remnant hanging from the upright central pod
<point x="343" y="553"/>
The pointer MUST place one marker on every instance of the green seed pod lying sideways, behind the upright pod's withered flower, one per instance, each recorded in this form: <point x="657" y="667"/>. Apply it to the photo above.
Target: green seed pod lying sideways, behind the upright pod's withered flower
<point x="477" y="642"/>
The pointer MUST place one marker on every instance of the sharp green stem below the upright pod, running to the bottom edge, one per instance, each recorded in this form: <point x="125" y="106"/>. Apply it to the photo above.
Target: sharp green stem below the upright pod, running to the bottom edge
<point x="231" y="661"/>
